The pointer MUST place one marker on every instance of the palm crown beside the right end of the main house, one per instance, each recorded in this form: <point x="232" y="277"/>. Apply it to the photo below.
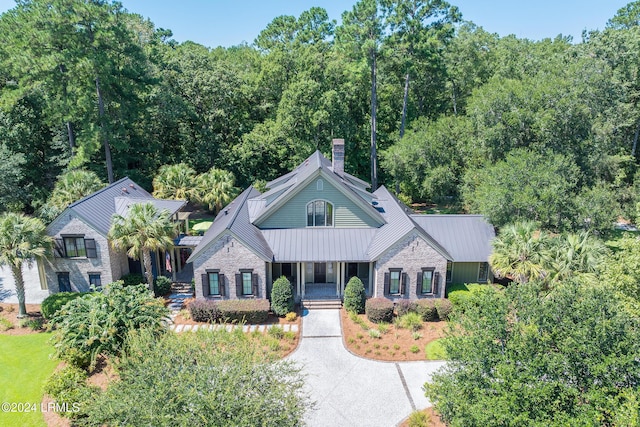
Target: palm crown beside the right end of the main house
<point x="519" y="252"/>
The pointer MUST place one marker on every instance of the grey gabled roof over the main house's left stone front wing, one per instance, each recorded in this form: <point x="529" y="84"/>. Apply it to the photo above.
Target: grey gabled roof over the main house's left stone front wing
<point x="234" y="218"/>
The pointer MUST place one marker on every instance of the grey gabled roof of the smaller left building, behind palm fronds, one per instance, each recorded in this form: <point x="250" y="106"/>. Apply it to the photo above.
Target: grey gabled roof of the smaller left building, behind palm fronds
<point x="97" y="209"/>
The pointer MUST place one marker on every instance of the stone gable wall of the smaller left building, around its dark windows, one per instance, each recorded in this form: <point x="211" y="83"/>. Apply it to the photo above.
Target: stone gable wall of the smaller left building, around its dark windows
<point x="109" y="264"/>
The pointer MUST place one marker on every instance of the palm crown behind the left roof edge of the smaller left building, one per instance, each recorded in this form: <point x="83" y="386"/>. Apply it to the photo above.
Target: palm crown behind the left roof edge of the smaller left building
<point x="73" y="186"/>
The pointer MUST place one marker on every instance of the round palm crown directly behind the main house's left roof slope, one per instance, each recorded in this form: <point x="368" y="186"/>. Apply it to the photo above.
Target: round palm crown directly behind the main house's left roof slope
<point x="215" y="189"/>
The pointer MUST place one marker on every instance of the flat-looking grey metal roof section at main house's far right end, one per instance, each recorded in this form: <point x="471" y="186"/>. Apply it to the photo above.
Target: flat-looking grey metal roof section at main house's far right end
<point x="466" y="237"/>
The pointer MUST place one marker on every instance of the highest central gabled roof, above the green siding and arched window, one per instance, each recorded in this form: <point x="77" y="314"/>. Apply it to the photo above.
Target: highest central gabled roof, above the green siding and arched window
<point x="287" y="186"/>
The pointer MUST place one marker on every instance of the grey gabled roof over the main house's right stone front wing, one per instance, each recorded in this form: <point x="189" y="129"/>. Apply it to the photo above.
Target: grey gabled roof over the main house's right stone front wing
<point x="398" y="225"/>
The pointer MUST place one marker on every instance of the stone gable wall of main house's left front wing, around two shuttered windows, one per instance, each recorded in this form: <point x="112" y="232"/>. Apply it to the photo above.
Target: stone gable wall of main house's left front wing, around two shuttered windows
<point x="229" y="255"/>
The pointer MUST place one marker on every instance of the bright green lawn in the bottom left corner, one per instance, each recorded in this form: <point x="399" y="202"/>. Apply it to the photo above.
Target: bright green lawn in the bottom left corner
<point x="25" y="365"/>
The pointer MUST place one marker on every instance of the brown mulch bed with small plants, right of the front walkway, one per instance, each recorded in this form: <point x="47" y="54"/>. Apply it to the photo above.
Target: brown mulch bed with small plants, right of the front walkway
<point x="393" y="346"/>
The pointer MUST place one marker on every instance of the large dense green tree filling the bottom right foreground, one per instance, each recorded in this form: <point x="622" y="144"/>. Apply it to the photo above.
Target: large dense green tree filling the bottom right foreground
<point x="568" y="341"/>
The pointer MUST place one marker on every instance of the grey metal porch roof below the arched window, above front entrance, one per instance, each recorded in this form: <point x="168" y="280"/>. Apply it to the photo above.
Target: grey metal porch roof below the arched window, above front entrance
<point x="319" y="244"/>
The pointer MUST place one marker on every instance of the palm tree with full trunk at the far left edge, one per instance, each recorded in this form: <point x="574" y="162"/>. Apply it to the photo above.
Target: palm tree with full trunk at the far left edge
<point x="23" y="239"/>
